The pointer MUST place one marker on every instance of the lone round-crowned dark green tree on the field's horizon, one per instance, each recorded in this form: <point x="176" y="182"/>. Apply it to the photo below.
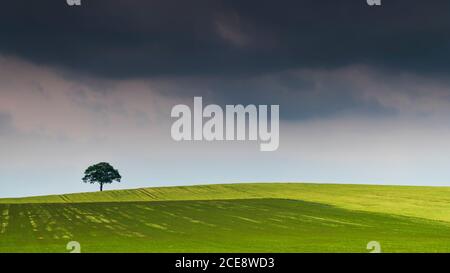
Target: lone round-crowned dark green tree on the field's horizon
<point x="102" y="173"/>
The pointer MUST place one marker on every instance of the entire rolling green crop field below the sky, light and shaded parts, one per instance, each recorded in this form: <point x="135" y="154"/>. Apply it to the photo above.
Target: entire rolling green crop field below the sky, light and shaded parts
<point x="276" y="217"/>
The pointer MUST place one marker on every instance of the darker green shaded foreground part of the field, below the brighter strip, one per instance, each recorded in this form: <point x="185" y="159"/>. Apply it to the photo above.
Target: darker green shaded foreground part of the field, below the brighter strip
<point x="242" y="225"/>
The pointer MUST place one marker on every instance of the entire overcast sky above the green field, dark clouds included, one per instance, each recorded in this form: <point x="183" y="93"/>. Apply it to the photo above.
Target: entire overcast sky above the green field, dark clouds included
<point x="364" y="92"/>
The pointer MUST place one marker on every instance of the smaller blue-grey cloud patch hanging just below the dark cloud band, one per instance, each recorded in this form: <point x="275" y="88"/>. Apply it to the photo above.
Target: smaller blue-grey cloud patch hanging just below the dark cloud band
<point x="302" y="94"/>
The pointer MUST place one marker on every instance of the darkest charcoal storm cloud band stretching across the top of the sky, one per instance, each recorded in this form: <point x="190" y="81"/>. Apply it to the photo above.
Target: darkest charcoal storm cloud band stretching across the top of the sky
<point x="146" y="38"/>
